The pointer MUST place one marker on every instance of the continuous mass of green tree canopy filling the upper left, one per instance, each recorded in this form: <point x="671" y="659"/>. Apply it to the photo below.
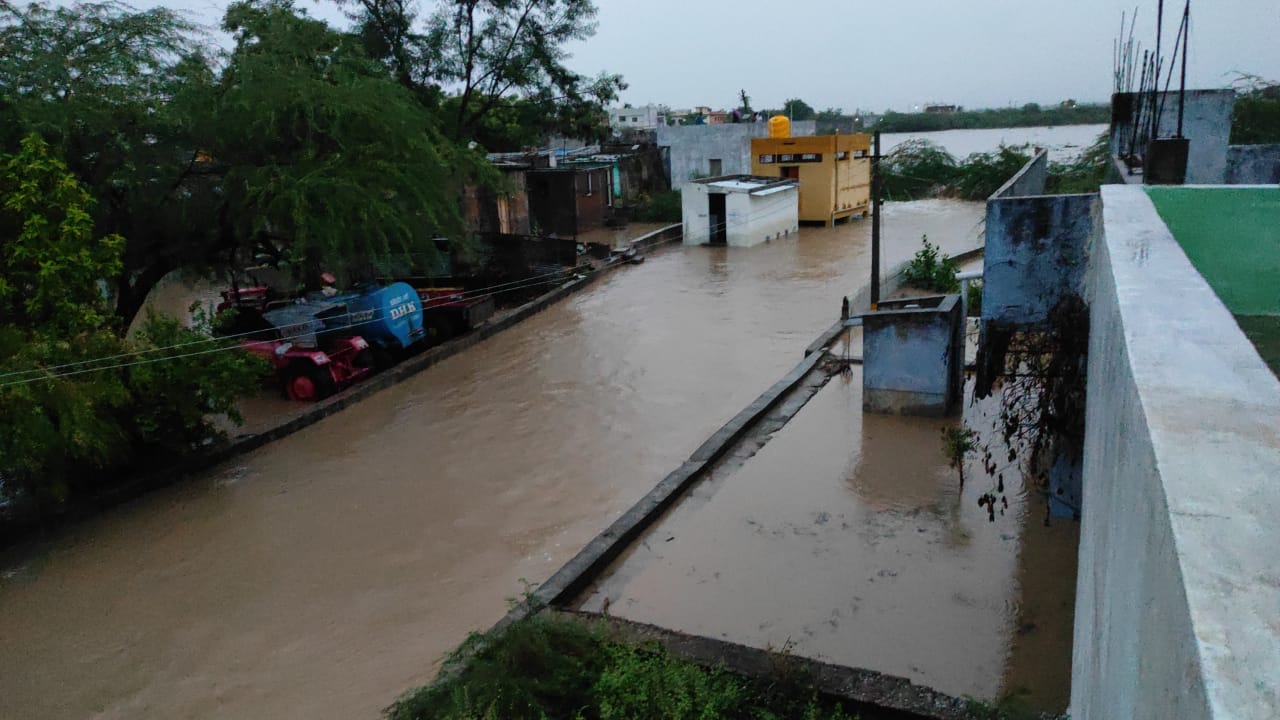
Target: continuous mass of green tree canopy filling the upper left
<point x="132" y="148"/>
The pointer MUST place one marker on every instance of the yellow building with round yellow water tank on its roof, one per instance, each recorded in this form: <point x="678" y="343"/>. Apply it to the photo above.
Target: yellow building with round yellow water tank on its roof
<point x="835" y="171"/>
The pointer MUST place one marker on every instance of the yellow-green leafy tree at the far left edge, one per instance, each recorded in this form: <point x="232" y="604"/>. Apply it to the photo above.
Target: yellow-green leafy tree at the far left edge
<point x="75" y="398"/>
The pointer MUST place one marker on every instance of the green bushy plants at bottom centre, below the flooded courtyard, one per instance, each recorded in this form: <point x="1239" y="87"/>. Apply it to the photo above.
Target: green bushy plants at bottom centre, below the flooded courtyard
<point x="550" y="668"/>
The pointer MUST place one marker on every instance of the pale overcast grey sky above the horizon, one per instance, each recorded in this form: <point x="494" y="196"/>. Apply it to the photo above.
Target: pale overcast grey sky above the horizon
<point x="875" y="56"/>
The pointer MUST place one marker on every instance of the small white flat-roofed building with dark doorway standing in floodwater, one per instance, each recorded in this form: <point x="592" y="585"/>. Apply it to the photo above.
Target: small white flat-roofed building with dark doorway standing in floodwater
<point x="740" y="211"/>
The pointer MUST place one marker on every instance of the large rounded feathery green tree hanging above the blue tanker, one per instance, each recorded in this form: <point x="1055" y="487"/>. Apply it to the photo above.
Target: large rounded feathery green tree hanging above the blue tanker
<point x="324" y="162"/>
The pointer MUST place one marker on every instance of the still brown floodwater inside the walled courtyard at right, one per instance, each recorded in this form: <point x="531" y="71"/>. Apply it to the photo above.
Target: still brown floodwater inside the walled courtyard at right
<point x="849" y="540"/>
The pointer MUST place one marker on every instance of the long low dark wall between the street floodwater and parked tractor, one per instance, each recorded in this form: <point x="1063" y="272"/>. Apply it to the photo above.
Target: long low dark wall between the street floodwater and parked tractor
<point x="15" y="528"/>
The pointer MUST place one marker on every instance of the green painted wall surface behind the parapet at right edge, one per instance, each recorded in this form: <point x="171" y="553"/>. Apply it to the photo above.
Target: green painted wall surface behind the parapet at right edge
<point x="1232" y="235"/>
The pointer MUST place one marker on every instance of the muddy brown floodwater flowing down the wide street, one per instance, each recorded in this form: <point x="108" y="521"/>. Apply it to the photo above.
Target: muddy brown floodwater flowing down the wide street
<point x="327" y="573"/>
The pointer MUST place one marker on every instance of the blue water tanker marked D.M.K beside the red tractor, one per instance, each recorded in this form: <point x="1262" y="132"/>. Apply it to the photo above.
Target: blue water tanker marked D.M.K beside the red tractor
<point x="388" y="317"/>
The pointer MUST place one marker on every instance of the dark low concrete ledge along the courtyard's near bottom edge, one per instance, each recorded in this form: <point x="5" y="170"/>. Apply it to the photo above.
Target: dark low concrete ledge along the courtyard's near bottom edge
<point x="877" y="694"/>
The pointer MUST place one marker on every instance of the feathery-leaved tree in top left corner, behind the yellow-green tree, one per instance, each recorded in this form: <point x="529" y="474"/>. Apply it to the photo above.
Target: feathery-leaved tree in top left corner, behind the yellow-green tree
<point x="95" y="80"/>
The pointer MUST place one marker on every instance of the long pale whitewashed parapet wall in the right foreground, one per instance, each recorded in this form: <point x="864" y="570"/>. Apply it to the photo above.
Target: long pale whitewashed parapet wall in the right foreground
<point x="1180" y="593"/>
